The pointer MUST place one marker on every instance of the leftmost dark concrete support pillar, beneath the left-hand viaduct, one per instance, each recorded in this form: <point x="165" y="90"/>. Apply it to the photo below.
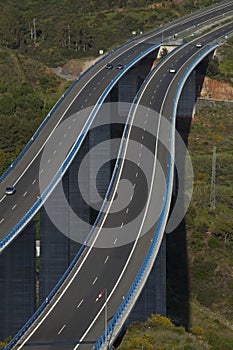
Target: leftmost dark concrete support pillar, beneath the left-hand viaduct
<point x="17" y="283"/>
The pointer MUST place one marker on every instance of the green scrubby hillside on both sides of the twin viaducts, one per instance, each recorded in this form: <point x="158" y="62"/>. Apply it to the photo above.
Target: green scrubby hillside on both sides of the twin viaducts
<point x="75" y="30"/>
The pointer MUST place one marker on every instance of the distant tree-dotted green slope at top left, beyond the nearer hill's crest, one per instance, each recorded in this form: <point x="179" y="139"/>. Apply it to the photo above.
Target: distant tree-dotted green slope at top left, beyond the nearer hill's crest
<point x="54" y="31"/>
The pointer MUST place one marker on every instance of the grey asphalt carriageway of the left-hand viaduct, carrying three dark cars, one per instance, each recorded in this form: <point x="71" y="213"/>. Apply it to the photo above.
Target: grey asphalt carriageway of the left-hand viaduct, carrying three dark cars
<point x="25" y="175"/>
